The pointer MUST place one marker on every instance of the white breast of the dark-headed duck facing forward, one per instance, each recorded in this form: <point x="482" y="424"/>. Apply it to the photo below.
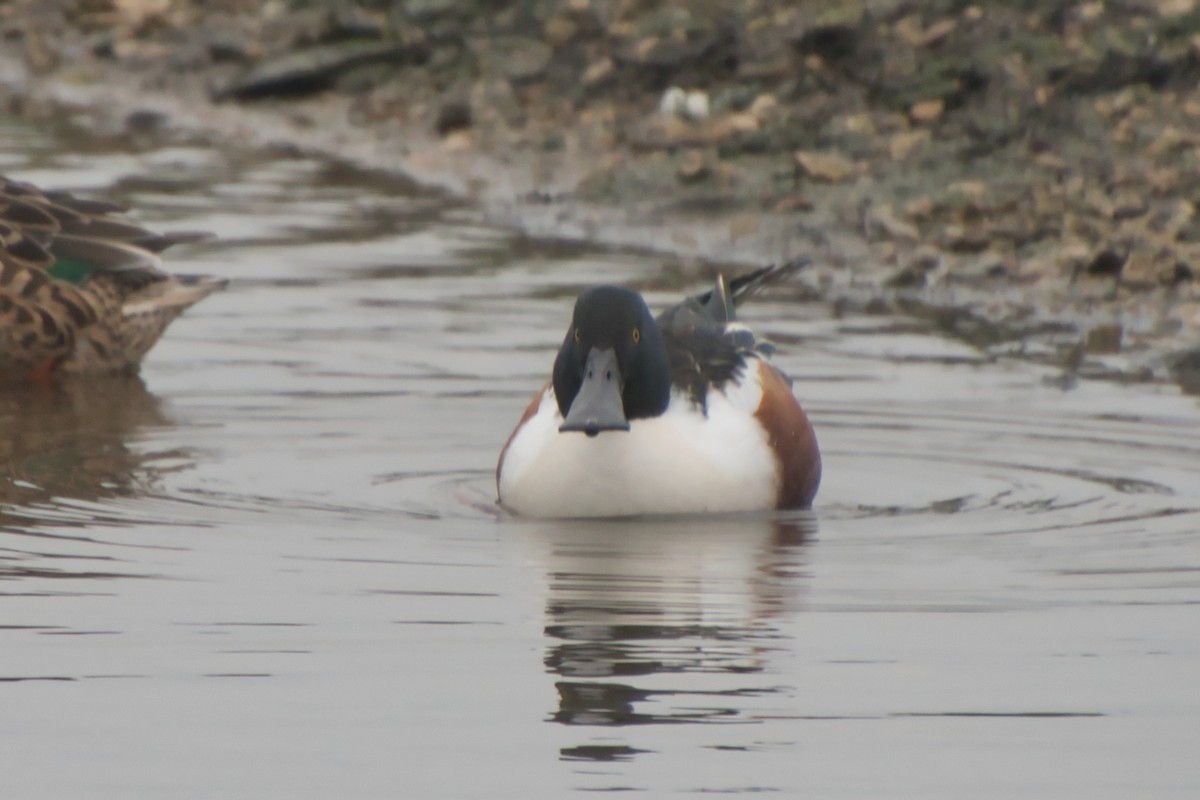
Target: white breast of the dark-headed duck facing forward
<point x="680" y="462"/>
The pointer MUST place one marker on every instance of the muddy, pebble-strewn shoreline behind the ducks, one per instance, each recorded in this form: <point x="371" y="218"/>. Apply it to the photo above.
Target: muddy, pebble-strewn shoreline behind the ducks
<point x="1019" y="177"/>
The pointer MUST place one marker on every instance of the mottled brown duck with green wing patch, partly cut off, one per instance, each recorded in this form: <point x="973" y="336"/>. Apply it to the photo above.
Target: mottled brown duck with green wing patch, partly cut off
<point x="81" y="287"/>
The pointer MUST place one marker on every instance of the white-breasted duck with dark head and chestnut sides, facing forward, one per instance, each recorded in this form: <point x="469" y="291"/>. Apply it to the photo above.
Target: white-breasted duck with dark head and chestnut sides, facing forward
<point x="680" y="414"/>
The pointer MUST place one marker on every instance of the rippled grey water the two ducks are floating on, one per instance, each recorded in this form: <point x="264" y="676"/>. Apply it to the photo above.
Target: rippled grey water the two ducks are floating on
<point x="274" y="568"/>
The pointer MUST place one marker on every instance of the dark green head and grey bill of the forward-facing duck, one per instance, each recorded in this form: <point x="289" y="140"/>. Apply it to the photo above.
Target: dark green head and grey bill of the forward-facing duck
<point x="613" y="366"/>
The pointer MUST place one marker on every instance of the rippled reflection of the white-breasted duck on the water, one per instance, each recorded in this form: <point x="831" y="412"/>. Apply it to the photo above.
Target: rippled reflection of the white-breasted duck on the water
<point x="688" y="598"/>
